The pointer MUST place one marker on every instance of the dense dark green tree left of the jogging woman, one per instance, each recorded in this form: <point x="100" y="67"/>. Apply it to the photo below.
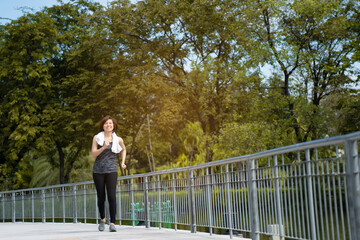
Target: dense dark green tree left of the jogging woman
<point x="50" y="66"/>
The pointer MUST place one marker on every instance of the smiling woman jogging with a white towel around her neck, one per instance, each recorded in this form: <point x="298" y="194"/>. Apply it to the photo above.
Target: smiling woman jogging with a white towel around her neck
<point x="105" y="145"/>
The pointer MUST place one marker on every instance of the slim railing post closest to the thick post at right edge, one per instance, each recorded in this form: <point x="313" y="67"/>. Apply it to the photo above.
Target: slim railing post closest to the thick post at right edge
<point x="310" y="194"/>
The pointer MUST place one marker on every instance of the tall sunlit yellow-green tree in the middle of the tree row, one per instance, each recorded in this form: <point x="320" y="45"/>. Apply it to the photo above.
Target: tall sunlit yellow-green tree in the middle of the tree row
<point x="193" y="46"/>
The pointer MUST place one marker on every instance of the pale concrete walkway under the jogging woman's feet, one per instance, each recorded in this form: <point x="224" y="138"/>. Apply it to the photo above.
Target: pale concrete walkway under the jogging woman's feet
<point x="79" y="231"/>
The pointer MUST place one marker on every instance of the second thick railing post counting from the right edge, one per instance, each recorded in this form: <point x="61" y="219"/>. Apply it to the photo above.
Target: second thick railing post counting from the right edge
<point x="253" y="204"/>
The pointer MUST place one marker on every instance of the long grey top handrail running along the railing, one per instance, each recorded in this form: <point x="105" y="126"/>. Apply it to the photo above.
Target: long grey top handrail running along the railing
<point x="281" y="150"/>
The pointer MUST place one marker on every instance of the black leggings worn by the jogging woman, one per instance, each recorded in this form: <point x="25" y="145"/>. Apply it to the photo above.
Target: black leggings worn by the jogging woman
<point x="109" y="181"/>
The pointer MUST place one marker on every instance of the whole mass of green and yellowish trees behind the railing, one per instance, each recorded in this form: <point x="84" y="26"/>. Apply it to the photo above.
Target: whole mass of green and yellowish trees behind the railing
<point x="191" y="67"/>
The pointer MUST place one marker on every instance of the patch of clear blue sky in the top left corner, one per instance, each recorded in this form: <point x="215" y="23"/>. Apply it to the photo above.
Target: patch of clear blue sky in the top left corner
<point x="11" y="9"/>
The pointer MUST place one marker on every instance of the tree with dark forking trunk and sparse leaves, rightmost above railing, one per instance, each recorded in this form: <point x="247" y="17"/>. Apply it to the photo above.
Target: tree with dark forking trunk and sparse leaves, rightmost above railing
<point x="309" y="42"/>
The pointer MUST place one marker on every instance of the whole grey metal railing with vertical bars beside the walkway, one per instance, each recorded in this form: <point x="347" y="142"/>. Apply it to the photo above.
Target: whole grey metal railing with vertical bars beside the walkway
<point x="304" y="191"/>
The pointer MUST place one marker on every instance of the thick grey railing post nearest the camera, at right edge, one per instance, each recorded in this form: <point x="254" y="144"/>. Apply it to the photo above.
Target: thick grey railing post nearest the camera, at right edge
<point x="353" y="187"/>
